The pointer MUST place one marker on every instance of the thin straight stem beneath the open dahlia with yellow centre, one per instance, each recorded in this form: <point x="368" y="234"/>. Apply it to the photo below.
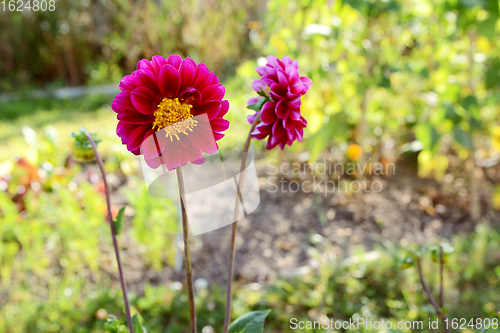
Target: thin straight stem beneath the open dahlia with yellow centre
<point x="187" y="252"/>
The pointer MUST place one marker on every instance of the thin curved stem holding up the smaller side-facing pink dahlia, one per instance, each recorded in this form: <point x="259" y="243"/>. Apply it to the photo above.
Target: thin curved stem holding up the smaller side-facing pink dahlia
<point x="232" y="250"/>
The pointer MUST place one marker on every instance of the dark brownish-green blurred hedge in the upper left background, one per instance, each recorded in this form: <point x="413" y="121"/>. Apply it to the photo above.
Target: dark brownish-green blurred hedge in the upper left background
<point x="96" y="41"/>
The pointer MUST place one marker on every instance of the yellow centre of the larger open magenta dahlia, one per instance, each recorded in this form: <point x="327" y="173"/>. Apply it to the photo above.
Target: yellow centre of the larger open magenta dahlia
<point x="174" y="117"/>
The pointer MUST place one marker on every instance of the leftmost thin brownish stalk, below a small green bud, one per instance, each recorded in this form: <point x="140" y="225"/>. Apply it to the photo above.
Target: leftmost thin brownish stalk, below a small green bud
<point x="113" y="235"/>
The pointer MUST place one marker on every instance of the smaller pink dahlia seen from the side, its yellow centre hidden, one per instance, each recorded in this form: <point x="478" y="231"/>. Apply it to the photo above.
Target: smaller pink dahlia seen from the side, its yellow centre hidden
<point x="280" y="116"/>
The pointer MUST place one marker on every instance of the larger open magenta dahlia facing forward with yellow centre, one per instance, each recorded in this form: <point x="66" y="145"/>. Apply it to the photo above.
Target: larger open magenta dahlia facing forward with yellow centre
<point x="161" y="97"/>
